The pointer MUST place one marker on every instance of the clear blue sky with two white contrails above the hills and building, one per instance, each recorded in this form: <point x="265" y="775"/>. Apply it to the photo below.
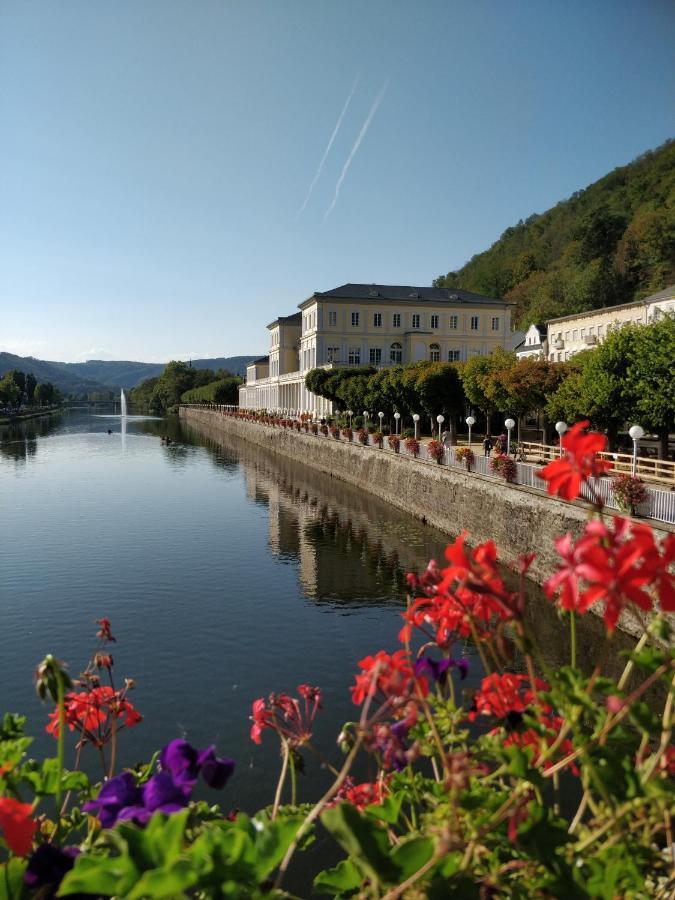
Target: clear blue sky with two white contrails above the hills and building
<point x="175" y="174"/>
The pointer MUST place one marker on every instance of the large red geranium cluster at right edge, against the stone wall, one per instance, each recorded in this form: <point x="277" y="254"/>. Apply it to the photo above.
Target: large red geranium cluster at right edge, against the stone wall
<point x="612" y="565"/>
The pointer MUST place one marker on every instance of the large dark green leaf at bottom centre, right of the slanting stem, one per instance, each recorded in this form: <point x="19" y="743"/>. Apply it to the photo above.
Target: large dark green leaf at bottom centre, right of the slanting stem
<point x="365" y="842"/>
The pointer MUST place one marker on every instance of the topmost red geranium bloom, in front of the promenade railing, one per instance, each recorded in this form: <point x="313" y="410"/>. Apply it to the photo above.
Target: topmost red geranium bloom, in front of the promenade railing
<point x="564" y="476"/>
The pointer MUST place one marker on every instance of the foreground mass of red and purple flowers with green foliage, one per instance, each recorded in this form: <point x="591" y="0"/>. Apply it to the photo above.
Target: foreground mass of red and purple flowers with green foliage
<point x="542" y="784"/>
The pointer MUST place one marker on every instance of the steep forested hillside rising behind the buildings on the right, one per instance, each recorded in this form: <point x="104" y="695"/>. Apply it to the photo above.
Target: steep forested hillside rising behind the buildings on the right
<point x="610" y="243"/>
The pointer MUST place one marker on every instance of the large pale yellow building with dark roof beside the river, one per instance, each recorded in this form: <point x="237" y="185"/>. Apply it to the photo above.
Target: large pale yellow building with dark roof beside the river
<point x="375" y="325"/>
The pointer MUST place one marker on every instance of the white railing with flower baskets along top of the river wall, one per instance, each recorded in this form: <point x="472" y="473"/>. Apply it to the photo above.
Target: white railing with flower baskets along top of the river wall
<point x="659" y="504"/>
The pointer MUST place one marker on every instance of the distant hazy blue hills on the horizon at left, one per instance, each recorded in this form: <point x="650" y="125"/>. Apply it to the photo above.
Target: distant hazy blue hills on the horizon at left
<point x="98" y="374"/>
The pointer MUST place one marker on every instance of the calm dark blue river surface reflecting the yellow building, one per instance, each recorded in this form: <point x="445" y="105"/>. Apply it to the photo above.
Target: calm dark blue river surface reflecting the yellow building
<point x="227" y="574"/>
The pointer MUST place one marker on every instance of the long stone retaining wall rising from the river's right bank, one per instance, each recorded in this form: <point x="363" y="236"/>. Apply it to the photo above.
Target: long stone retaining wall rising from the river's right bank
<point x="519" y="519"/>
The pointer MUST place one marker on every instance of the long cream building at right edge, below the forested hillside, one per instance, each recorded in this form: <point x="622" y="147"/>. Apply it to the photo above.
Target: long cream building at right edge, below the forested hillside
<point x="568" y="335"/>
